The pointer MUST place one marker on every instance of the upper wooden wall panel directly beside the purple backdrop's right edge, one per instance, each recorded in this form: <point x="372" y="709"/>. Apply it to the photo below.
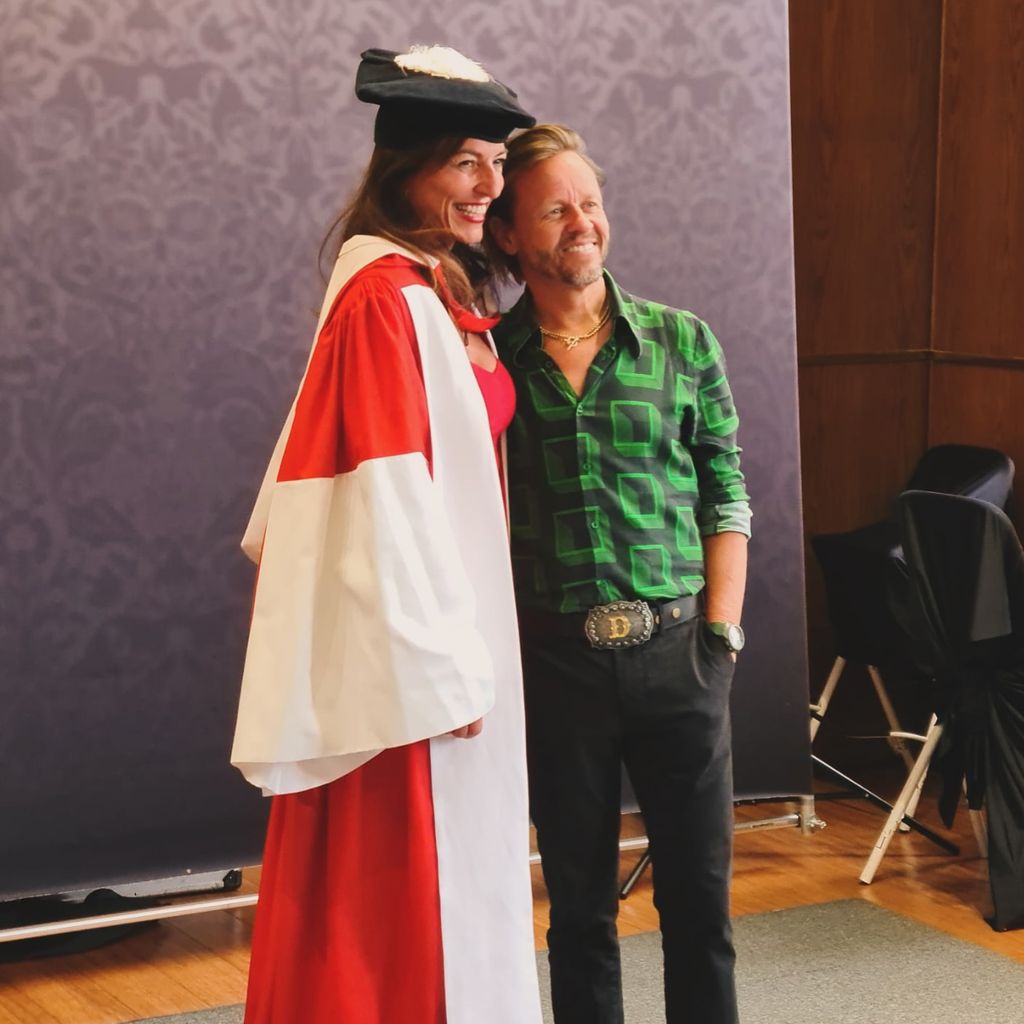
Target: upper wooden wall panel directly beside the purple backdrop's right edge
<point x="865" y="84"/>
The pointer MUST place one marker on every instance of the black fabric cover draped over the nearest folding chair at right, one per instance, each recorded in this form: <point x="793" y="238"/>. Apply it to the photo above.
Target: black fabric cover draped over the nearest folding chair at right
<point x="967" y="616"/>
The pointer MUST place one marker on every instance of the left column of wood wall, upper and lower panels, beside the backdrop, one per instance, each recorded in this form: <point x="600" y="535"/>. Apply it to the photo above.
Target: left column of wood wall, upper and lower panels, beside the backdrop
<point x="865" y="88"/>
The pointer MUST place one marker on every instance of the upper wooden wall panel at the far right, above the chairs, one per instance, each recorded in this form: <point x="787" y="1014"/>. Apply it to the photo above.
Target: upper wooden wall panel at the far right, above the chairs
<point x="979" y="298"/>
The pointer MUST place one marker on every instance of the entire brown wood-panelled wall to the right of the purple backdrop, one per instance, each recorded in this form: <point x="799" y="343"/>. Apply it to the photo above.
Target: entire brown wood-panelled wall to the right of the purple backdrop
<point x="910" y="241"/>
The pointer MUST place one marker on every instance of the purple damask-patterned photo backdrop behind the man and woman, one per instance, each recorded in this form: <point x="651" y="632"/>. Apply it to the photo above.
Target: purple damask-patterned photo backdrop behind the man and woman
<point x="166" y="176"/>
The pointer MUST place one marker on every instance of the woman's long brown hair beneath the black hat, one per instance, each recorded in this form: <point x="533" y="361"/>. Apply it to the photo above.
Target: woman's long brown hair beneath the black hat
<point x="379" y="206"/>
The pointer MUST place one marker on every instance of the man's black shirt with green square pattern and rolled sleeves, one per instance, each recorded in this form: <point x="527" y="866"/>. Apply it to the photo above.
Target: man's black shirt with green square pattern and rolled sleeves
<point x="611" y="493"/>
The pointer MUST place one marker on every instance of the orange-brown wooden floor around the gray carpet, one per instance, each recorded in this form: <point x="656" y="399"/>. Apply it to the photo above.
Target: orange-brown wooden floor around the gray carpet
<point x="191" y="963"/>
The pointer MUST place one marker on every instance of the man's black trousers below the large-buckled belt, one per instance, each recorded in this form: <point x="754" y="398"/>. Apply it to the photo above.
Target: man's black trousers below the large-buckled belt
<point x="662" y="709"/>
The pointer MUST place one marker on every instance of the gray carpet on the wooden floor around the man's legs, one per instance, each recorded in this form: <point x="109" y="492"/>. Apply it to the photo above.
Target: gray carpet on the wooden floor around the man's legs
<point x="843" y="963"/>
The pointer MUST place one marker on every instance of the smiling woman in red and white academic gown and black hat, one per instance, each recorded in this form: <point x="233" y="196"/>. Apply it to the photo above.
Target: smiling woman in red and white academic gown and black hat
<point x="381" y="697"/>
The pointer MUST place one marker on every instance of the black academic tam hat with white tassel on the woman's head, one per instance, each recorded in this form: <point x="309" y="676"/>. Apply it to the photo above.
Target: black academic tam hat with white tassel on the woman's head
<point x="433" y="93"/>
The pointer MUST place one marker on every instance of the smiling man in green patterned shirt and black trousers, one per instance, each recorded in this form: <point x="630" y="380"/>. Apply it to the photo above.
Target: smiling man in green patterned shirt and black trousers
<point x="630" y="523"/>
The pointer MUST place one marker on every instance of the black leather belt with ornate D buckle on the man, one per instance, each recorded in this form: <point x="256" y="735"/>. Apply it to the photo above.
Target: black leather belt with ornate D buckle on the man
<point x="612" y="627"/>
